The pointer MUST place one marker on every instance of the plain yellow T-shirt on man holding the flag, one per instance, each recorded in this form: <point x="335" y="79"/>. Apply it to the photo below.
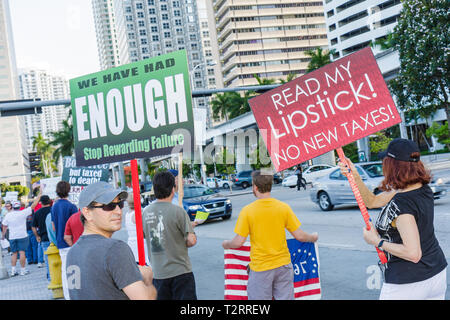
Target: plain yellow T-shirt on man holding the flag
<point x="265" y="220"/>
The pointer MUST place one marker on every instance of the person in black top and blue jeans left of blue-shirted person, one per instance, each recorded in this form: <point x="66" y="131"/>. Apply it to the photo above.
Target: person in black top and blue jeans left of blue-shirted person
<point x="40" y="231"/>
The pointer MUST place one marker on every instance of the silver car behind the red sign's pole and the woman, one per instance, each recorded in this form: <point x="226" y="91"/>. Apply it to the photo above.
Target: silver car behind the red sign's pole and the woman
<point x="333" y="188"/>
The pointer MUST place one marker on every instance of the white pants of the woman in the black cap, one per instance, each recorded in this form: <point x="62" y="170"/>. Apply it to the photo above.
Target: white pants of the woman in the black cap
<point x="430" y="289"/>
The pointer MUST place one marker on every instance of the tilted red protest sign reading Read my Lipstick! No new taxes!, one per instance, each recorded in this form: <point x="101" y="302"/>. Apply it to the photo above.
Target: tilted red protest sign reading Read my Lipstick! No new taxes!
<point x="325" y="109"/>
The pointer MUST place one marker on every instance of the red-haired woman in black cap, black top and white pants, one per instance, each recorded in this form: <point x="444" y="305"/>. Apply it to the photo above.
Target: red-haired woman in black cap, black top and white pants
<point x="416" y="267"/>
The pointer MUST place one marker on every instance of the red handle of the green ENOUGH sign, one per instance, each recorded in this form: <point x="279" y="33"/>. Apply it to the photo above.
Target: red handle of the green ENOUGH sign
<point x="138" y="211"/>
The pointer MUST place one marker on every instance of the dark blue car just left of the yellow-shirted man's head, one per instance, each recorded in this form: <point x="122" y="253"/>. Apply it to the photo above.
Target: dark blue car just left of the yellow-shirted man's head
<point x="198" y="197"/>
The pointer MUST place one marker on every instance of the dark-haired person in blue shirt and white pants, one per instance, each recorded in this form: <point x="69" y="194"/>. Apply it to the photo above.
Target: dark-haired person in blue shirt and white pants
<point x="61" y="211"/>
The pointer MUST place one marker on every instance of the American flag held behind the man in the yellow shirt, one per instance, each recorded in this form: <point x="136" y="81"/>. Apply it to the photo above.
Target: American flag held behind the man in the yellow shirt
<point x="305" y="261"/>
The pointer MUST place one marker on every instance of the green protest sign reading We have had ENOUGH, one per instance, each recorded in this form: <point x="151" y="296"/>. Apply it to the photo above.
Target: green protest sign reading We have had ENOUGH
<point x="142" y="109"/>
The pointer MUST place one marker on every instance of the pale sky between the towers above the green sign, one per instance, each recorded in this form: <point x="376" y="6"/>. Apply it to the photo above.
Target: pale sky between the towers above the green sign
<point x="55" y="35"/>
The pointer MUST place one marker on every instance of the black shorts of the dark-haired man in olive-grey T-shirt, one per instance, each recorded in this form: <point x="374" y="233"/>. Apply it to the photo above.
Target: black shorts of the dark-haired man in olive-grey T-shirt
<point x="181" y="287"/>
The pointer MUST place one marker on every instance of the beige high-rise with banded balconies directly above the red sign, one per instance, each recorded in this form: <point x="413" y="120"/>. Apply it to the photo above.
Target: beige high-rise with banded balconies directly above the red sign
<point x="267" y="38"/>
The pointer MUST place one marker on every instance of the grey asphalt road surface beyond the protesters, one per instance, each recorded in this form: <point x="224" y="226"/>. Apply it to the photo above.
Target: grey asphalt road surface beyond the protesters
<point x="348" y="266"/>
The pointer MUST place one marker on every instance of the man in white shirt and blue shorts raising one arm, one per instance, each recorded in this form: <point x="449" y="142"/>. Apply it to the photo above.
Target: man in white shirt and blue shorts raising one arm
<point x="16" y="222"/>
